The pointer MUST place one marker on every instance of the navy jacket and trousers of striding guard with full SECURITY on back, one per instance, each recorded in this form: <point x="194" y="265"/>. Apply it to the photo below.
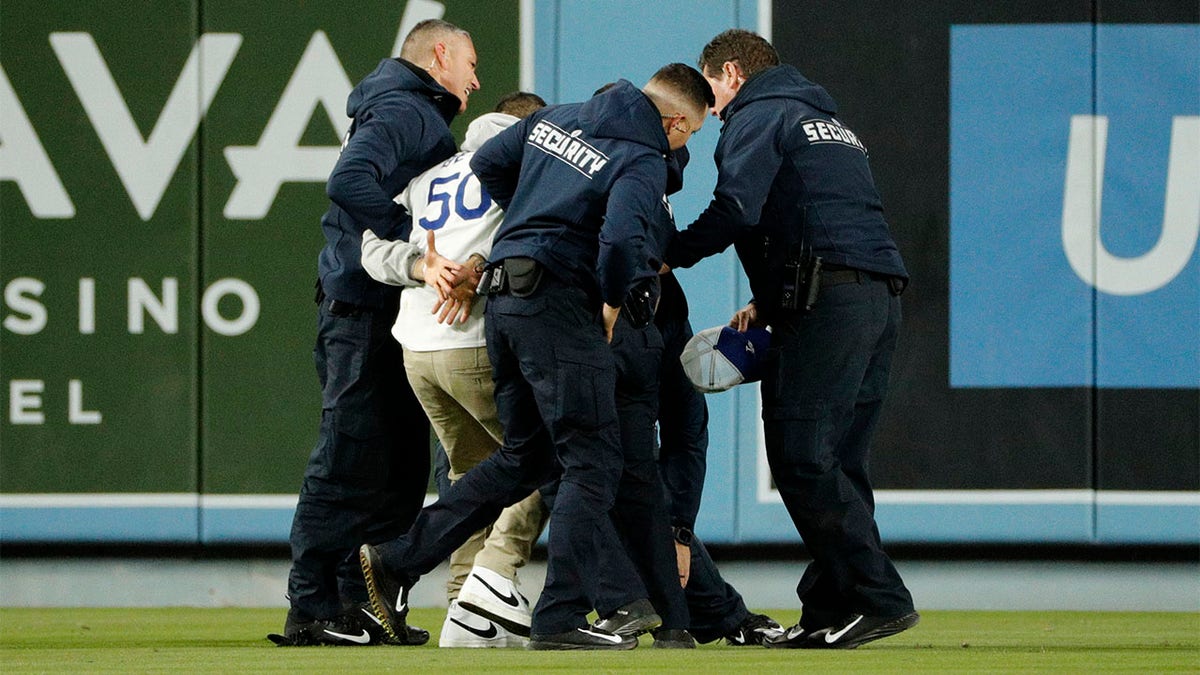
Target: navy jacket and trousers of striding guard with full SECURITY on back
<point x="578" y="184"/>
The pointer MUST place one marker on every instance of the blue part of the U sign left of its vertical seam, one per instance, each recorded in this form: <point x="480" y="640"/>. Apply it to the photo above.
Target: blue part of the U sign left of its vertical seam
<point x="1009" y="136"/>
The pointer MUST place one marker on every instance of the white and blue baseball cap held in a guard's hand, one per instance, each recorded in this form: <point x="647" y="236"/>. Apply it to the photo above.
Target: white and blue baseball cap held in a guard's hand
<point x="721" y="359"/>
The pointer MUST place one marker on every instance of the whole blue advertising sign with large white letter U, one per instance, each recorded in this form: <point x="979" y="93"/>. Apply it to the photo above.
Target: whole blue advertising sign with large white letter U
<point x="1076" y="206"/>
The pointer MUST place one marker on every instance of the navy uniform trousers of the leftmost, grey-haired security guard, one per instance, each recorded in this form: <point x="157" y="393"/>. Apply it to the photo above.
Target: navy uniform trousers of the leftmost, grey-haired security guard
<point x="368" y="476"/>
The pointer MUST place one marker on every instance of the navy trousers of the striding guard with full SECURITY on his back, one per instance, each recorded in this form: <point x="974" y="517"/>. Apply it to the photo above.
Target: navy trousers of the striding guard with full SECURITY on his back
<point x="555" y="383"/>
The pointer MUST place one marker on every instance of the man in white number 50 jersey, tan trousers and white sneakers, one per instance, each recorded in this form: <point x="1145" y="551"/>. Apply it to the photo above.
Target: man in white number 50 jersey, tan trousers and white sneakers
<point x="446" y="360"/>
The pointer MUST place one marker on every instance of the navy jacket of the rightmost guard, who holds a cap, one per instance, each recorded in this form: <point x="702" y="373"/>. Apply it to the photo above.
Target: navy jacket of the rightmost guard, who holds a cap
<point x="791" y="177"/>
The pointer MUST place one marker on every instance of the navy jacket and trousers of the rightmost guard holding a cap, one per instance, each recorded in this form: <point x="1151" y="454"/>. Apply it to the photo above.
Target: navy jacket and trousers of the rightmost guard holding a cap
<point x="793" y="178"/>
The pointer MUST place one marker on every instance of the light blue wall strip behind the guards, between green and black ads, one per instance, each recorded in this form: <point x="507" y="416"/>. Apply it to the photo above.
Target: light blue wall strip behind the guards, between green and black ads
<point x="583" y="45"/>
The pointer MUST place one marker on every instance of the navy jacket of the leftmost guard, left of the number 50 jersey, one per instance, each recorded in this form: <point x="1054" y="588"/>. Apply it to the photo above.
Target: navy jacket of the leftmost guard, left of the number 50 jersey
<point x="400" y="128"/>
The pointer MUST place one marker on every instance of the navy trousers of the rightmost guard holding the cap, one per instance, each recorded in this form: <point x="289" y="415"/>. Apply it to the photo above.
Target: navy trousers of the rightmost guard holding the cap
<point x="821" y="398"/>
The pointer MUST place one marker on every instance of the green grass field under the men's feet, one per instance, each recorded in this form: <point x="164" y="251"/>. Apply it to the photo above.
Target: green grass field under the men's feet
<point x="226" y="641"/>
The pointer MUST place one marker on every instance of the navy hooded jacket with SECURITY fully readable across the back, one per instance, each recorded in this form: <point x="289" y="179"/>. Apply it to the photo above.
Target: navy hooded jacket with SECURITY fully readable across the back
<point x="580" y="186"/>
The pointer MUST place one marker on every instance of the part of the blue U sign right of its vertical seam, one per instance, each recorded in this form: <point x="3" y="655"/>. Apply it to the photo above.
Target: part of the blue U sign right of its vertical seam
<point x="1148" y="89"/>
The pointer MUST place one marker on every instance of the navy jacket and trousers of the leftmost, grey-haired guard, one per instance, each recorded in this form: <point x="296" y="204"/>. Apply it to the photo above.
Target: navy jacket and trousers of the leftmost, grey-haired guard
<point x="368" y="475"/>
